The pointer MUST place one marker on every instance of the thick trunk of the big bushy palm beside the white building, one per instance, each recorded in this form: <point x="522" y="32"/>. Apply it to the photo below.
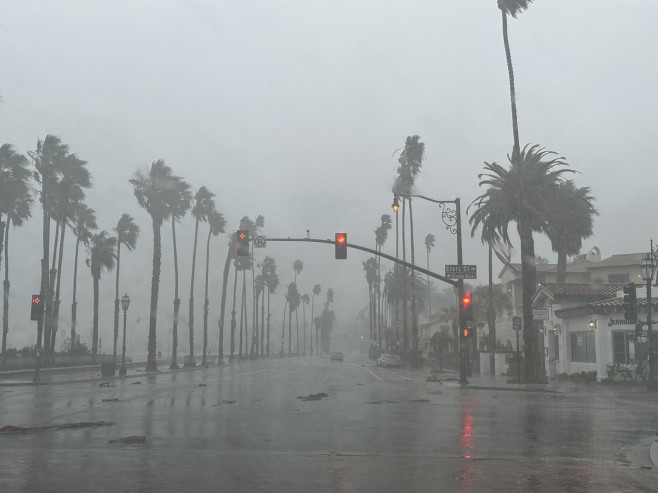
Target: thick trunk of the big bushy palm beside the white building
<point x="529" y="280"/>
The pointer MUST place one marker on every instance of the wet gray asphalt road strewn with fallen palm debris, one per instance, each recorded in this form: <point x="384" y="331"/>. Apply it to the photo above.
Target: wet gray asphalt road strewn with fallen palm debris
<point x="242" y="427"/>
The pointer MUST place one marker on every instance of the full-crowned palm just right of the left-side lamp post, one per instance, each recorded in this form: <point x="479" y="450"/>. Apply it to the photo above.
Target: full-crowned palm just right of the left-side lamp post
<point x="151" y="189"/>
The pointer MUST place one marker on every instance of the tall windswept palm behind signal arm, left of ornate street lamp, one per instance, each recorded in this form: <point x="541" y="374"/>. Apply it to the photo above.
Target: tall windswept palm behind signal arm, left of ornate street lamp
<point x="411" y="160"/>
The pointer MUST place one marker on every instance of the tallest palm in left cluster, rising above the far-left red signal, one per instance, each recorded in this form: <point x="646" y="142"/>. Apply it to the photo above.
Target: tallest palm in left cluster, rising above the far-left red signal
<point x="48" y="158"/>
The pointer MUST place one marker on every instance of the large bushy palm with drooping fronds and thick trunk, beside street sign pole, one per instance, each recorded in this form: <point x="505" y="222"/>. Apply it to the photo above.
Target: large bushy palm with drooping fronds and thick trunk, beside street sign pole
<point x="526" y="194"/>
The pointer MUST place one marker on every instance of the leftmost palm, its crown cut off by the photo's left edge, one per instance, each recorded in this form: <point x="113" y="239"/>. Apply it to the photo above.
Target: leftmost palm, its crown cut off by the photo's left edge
<point x="15" y="205"/>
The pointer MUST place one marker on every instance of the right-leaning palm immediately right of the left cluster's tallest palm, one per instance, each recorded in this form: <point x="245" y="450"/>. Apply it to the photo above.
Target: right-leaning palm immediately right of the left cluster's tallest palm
<point x="68" y="192"/>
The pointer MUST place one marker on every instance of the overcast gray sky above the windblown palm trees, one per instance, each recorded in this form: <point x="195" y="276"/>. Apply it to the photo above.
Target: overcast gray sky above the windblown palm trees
<point x="294" y="110"/>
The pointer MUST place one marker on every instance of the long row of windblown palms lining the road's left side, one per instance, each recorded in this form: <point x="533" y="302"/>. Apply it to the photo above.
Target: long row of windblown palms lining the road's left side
<point x="63" y="179"/>
